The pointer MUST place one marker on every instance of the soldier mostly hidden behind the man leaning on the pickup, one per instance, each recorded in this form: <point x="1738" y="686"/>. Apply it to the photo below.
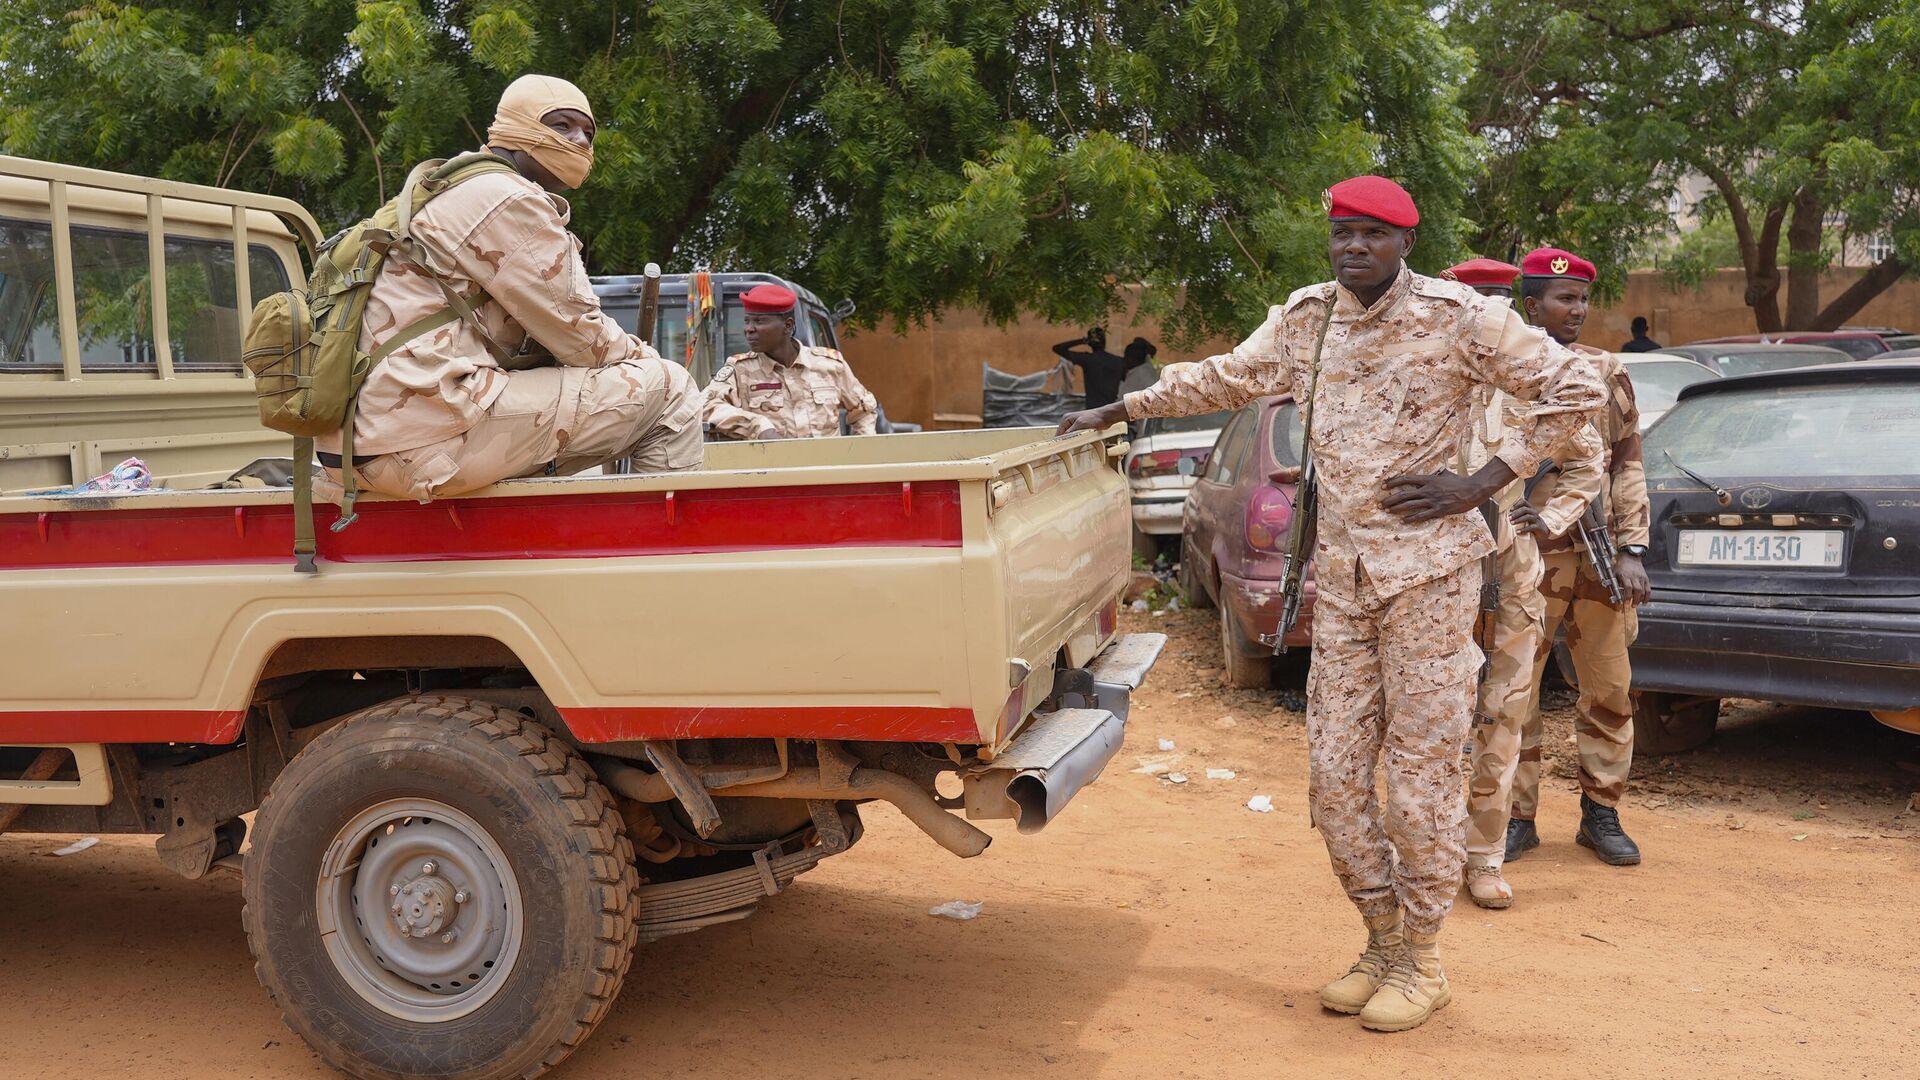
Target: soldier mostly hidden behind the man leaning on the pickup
<point x="1504" y="704"/>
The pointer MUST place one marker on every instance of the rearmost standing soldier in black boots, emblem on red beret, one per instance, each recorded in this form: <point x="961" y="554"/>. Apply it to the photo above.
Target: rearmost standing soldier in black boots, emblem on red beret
<point x="1598" y="633"/>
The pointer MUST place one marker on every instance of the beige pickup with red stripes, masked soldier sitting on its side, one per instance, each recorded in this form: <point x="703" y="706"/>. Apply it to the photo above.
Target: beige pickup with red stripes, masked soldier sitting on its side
<point x="500" y="741"/>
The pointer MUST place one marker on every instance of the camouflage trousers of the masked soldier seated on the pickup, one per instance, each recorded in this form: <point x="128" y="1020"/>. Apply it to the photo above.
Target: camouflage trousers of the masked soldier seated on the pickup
<point x="564" y="418"/>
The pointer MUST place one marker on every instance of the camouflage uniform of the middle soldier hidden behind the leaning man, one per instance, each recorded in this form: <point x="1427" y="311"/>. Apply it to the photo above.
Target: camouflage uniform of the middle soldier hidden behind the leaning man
<point x="1506" y="697"/>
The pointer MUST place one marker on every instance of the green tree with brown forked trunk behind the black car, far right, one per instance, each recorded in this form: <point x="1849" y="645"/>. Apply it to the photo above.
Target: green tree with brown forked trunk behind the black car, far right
<point x="1800" y="114"/>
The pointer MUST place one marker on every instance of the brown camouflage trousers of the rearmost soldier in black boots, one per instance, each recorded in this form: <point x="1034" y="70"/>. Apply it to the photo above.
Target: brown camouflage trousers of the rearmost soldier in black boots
<point x="1596" y="639"/>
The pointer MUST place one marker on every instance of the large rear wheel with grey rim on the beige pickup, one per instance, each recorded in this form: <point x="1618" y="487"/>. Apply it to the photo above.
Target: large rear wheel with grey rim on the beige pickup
<point x="441" y="889"/>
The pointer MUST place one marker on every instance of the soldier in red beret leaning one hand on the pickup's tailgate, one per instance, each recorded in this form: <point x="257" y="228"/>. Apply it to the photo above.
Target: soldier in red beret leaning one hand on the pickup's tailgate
<point x="1389" y="364"/>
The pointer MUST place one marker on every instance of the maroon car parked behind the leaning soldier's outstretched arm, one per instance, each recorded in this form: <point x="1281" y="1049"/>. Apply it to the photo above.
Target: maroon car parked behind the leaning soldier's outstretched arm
<point x="1236" y="535"/>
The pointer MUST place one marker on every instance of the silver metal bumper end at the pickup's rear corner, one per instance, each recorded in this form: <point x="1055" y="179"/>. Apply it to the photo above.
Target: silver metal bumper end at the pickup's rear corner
<point x="1034" y="779"/>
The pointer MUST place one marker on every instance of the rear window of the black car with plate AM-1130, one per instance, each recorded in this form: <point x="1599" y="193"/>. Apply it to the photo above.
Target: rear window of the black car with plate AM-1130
<point x="1850" y="430"/>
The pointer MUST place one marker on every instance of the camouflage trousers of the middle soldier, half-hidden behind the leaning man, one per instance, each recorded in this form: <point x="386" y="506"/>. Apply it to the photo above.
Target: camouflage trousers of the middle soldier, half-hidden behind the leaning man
<point x="1506" y="702"/>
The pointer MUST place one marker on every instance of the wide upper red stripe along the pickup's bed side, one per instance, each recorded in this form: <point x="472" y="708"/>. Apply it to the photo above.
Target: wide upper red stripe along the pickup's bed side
<point x="540" y="528"/>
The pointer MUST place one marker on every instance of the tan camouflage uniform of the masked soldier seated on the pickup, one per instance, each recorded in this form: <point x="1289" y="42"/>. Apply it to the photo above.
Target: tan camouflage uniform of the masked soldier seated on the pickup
<point x="441" y="416"/>
